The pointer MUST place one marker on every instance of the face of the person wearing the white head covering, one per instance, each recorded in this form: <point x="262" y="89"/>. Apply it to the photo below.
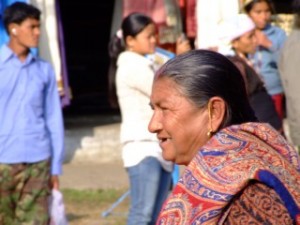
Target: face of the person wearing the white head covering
<point x="246" y="43"/>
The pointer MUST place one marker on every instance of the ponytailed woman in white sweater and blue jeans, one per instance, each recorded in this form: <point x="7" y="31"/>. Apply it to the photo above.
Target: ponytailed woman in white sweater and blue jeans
<point x="149" y="174"/>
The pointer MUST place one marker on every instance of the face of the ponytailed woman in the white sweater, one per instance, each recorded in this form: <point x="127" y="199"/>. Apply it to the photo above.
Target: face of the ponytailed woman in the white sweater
<point x="144" y="42"/>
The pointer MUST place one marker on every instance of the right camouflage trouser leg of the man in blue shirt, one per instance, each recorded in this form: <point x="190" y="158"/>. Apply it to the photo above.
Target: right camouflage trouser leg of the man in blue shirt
<point x="32" y="207"/>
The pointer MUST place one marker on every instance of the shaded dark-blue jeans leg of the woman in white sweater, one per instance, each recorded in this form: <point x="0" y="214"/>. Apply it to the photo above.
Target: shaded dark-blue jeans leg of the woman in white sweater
<point x="162" y="194"/>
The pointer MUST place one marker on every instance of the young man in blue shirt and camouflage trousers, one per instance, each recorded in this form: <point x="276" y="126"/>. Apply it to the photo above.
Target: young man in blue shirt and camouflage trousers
<point x="31" y="126"/>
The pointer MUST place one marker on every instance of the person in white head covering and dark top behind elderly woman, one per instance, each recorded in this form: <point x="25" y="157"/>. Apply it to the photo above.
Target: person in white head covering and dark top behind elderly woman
<point x="238" y="33"/>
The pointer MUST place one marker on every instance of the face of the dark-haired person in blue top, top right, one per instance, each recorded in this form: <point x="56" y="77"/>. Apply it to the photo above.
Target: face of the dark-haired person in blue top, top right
<point x="260" y="14"/>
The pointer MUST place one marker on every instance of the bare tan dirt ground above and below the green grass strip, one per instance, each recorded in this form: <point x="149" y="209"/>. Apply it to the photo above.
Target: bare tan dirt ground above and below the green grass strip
<point x="89" y="176"/>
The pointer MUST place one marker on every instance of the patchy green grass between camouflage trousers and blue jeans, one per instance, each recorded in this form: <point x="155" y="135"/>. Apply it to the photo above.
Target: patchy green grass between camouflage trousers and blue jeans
<point x="86" y="206"/>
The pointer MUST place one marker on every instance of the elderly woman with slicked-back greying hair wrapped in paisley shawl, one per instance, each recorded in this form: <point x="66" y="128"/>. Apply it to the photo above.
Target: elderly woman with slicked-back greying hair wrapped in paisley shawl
<point x="238" y="171"/>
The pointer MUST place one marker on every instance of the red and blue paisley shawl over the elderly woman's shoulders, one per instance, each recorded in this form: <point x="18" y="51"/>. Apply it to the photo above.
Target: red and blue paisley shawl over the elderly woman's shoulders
<point x="229" y="163"/>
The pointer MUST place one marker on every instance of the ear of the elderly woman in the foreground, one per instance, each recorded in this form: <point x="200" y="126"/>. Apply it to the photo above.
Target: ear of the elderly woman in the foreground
<point x="216" y="110"/>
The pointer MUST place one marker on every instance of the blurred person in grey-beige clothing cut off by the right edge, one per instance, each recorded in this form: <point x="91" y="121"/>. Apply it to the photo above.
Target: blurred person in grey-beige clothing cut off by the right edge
<point x="289" y="68"/>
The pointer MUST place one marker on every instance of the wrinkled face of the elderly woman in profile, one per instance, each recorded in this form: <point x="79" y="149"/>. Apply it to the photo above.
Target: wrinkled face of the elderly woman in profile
<point x="181" y="127"/>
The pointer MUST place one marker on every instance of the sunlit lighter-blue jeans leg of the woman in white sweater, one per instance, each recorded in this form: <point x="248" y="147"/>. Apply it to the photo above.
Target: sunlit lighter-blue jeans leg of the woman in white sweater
<point x="144" y="186"/>
